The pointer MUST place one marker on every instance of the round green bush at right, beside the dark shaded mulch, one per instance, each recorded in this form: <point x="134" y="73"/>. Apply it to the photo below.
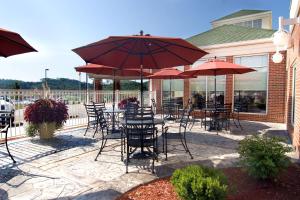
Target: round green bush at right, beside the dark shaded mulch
<point x="263" y="157"/>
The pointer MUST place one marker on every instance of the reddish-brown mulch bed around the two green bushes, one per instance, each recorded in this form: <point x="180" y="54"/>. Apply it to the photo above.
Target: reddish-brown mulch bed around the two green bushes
<point x="241" y="187"/>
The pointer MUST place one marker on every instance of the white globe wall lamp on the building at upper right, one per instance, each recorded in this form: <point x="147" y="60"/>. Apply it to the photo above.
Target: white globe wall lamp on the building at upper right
<point x="282" y="38"/>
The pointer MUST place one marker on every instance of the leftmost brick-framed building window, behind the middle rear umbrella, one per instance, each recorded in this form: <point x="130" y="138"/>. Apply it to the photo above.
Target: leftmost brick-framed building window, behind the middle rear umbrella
<point x="176" y="89"/>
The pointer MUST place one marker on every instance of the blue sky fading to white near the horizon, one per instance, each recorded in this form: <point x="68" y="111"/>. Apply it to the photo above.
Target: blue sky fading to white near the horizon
<point x="54" y="27"/>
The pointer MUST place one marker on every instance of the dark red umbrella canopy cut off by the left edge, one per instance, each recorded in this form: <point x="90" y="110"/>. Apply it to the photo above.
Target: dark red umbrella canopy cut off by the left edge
<point x="12" y="43"/>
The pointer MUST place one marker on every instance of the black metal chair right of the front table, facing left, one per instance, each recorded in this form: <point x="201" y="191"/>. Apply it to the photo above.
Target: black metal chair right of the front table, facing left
<point x="181" y="134"/>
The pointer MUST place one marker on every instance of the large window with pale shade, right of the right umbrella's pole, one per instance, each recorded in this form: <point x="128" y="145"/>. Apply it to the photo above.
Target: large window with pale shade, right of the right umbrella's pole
<point x="250" y="89"/>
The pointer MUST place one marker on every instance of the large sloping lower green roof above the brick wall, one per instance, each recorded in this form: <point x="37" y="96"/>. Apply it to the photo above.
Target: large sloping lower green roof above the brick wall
<point x="229" y="33"/>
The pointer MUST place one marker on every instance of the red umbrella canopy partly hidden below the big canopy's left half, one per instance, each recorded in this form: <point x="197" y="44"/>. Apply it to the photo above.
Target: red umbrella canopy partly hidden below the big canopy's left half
<point x="105" y="70"/>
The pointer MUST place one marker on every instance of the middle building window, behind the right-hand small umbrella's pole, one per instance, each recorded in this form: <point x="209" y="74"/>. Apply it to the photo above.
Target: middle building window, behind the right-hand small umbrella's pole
<point x="203" y="89"/>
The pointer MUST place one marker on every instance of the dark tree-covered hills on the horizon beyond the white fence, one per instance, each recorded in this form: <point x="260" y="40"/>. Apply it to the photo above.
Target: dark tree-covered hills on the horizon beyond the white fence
<point x="64" y="84"/>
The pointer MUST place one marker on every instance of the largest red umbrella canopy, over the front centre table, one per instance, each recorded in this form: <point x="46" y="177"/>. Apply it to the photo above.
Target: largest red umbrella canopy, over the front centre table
<point x="151" y="52"/>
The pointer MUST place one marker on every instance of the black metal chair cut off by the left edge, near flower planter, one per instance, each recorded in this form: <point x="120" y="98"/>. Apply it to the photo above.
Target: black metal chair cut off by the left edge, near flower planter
<point x="5" y="123"/>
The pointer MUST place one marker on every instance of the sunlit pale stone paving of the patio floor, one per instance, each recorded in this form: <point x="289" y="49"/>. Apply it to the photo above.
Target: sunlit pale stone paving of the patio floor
<point x="64" y="167"/>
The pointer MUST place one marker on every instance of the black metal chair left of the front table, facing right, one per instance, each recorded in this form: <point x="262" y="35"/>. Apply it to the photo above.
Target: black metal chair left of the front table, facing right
<point x="108" y="133"/>
